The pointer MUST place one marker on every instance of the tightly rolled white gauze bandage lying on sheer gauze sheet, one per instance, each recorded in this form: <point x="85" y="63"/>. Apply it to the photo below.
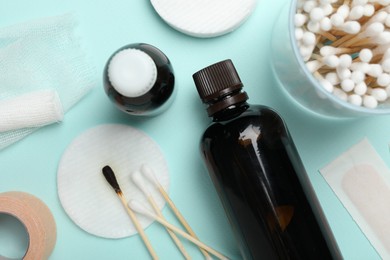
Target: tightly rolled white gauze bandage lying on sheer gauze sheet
<point x="33" y="109"/>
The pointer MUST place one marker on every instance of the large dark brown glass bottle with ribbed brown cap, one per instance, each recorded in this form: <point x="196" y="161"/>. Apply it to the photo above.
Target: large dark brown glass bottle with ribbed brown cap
<point x="258" y="174"/>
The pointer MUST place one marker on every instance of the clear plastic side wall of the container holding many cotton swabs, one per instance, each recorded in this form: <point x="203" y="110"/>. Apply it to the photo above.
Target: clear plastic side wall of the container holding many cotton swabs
<point x="298" y="82"/>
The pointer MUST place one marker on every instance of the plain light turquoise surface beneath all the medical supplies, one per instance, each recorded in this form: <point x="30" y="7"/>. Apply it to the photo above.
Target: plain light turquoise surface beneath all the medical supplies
<point x="31" y="164"/>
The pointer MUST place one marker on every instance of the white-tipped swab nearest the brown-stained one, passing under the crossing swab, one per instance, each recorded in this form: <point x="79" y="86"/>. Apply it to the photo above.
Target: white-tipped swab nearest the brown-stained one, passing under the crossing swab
<point x="137" y="179"/>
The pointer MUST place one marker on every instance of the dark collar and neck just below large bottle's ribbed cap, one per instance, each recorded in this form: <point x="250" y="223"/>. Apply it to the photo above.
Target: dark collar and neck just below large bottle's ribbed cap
<point x="227" y="106"/>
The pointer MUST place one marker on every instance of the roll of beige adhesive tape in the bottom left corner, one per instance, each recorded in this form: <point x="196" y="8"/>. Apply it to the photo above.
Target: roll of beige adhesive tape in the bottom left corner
<point x="37" y="219"/>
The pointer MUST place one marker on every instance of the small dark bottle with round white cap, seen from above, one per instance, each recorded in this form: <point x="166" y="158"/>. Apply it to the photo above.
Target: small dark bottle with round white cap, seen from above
<point x="139" y="79"/>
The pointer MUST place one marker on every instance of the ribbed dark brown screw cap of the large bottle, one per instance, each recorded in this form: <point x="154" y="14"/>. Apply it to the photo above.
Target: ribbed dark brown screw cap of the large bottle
<point x="215" y="83"/>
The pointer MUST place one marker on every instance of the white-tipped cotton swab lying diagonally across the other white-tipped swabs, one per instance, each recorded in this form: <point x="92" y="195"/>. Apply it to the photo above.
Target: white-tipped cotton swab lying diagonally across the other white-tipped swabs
<point x="138" y="207"/>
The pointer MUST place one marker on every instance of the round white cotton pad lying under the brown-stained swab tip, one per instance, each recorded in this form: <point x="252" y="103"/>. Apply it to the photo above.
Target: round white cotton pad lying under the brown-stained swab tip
<point x="85" y="194"/>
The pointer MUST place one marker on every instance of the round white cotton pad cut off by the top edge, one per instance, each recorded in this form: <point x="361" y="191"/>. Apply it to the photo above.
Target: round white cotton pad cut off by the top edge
<point x="204" y="18"/>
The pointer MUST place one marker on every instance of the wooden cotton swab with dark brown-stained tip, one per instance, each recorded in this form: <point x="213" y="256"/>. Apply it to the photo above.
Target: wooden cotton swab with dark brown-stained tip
<point x="111" y="179"/>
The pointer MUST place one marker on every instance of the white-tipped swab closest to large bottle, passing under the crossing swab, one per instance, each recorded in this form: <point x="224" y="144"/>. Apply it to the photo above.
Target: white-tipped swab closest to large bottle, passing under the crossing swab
<point x="149" y="174"/>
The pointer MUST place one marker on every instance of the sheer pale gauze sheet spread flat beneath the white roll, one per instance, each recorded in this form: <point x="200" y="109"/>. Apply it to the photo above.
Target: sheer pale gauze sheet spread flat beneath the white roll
<point x="40" y="55"/>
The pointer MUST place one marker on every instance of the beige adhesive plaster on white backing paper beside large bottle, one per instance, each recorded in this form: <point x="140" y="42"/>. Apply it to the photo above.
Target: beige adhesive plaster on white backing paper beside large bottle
<point x="361" y="180"/>
